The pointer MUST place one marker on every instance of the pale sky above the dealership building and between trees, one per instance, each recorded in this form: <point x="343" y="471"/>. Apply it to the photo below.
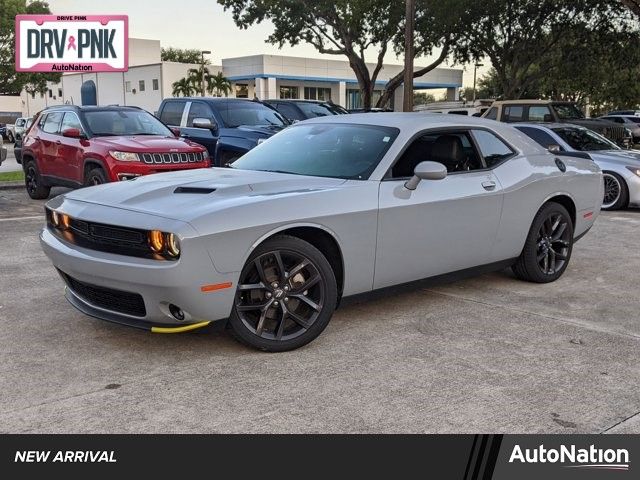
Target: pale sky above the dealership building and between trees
<point x="204" y="25"/>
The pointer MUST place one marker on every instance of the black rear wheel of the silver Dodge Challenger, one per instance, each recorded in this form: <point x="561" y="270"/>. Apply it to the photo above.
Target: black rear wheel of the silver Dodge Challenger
<point x="548" y="247"/>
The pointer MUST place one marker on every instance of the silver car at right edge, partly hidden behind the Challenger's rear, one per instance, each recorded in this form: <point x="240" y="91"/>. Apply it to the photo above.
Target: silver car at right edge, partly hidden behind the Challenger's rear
<point x="620" y="167"/>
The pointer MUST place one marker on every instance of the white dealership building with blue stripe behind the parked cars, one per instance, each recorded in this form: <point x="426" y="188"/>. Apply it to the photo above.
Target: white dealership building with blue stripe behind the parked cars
<point x="149" y="80"/>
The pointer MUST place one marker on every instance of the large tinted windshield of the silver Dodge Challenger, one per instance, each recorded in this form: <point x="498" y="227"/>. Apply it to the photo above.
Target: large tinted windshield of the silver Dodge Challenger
<point x="322" y="150"/>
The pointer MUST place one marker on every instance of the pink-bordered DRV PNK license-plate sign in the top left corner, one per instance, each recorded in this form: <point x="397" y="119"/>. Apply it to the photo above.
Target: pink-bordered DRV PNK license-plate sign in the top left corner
<point x="72" y="43"/>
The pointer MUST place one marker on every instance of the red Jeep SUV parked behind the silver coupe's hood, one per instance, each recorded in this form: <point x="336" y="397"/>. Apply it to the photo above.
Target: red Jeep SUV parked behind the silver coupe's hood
<point x="74" y="146"/>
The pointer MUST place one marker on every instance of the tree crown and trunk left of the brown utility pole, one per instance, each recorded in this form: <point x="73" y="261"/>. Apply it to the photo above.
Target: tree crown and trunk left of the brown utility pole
<point x="342" y="27"/>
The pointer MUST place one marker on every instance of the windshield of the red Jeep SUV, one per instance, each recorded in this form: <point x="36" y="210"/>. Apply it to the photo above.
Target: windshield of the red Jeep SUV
<point x="124" y="122"/>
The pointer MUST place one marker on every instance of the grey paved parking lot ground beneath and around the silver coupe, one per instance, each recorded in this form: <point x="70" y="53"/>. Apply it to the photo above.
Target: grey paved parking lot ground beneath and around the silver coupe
<point x="488" y="354"/>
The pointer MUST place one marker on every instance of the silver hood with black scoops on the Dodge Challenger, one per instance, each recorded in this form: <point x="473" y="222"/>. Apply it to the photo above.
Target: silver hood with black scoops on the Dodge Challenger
<point x="184" y="195"/>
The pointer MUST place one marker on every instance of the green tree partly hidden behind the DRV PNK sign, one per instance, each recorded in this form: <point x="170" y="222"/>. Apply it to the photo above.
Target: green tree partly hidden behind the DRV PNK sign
<point x="12" y="82"/>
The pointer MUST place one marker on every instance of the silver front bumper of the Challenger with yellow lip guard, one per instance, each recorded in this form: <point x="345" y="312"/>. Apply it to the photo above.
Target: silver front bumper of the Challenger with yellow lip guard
<point x="159" y="283"/>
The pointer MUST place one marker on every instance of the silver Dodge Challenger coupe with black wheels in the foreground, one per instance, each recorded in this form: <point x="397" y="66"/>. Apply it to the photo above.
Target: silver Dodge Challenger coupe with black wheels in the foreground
<point x="328" y="208"/>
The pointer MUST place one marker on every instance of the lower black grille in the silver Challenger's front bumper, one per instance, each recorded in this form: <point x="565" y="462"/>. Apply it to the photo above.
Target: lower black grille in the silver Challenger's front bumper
<point x="107" y="298"/>
